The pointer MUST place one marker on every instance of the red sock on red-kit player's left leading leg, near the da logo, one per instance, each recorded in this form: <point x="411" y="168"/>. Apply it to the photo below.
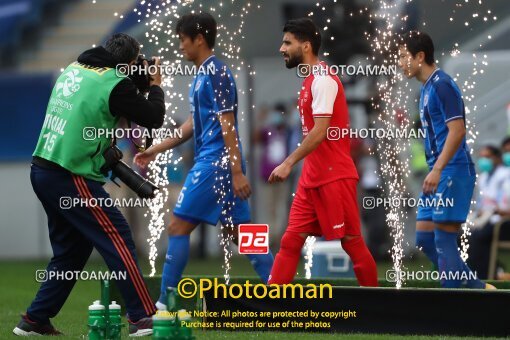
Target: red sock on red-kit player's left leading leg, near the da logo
<point x="287" y="259"/>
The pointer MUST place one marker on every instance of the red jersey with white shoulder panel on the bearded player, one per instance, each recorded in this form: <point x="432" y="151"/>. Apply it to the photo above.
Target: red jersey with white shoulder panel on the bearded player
<point x="323" y="96"/>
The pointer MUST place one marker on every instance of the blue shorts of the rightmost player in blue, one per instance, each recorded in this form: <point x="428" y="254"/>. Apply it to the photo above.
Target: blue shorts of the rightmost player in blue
<point x="452" y="201"/>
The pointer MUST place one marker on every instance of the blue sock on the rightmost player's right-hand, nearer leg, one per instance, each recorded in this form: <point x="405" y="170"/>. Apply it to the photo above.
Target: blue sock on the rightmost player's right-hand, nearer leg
<point x="450" y="262"/>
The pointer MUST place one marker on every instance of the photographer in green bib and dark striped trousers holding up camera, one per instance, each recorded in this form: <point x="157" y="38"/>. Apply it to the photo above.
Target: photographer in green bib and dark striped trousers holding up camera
<point x="68" y="172"/>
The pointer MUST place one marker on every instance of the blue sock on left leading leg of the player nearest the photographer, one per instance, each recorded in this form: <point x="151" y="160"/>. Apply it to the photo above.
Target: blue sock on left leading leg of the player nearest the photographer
<point x="176" y="258"/>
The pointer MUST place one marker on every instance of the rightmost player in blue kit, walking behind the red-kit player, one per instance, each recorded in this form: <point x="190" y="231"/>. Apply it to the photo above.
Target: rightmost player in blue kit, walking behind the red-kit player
<point x="450" y="183"/>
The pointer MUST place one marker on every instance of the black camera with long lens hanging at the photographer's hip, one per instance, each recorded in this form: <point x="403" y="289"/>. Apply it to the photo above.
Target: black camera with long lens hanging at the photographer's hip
<point x="137" y="183"/>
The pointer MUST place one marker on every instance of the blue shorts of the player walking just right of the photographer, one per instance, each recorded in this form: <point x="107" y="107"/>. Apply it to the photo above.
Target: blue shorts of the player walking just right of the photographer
<point x="207" y="196"/>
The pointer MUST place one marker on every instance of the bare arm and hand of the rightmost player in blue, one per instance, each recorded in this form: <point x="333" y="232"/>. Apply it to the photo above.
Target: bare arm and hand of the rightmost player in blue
<point x="456" y="134"/>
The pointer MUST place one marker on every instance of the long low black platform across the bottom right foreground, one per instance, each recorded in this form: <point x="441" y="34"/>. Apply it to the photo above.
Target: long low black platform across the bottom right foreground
<point x="411" y="311"/>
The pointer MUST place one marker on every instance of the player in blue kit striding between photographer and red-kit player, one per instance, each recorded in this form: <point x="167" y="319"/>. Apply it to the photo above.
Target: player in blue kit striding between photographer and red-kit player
<point x="216" y="188"/>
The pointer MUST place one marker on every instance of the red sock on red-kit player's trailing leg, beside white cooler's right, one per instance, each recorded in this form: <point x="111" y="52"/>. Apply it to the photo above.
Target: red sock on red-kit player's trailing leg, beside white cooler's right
<point x="364" y="264"/>
